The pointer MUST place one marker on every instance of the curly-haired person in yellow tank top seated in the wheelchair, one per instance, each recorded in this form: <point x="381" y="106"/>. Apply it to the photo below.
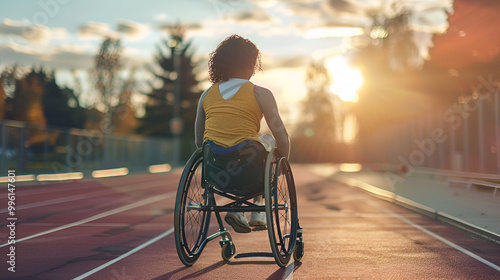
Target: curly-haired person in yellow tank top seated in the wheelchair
<point x="228" y="123"/>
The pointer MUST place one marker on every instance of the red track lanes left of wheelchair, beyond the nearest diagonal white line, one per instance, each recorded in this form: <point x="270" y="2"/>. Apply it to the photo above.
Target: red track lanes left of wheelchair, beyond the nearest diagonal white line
<point x="77" y="243"/>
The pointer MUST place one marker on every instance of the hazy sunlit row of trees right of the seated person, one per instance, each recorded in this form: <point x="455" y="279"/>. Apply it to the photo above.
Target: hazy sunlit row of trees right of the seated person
<point x="399" y="85"/>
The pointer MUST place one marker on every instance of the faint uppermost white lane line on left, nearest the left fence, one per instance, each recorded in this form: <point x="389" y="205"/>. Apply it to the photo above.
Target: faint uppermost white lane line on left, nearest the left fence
<point x="79" y="197"/>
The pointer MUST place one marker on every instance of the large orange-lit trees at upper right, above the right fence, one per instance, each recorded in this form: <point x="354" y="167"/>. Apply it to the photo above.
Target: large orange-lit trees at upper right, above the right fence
<point x="395" y="91"/>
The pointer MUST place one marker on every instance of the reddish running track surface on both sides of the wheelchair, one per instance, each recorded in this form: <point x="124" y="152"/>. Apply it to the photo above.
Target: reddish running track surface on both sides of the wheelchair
<point x="348" y="235"/>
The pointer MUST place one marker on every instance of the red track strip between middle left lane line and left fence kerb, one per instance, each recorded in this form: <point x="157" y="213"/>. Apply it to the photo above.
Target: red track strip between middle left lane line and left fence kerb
<point x="54" y="210"/>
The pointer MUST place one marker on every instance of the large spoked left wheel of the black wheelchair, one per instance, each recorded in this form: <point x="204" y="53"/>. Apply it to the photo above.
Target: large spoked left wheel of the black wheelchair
<point x="191" y="224"/>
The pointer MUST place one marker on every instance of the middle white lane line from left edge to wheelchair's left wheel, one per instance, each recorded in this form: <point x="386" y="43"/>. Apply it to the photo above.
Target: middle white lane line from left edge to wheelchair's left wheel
<point x="99" y="216"/>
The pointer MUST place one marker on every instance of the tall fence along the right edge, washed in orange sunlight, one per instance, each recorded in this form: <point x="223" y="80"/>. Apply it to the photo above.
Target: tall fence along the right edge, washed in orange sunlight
<point x="463" y="138"/>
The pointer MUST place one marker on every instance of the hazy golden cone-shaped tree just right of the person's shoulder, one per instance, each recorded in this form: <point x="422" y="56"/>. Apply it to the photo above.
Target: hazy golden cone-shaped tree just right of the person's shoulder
<point x="314" y="138"/>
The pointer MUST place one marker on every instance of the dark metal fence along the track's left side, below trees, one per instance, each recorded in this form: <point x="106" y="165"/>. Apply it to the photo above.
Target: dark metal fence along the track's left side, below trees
<point x="35" y="150"/>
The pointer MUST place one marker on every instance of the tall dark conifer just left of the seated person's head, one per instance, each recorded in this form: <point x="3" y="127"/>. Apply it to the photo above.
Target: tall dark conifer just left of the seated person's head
<point x="161" y="100"/>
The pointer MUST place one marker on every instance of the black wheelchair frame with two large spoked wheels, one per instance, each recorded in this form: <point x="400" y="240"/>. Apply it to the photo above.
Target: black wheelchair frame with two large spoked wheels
<point x="193" y="212"/>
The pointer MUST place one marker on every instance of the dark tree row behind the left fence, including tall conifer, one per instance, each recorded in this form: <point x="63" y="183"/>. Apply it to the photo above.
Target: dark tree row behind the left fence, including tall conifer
<point x="34" y="97"/>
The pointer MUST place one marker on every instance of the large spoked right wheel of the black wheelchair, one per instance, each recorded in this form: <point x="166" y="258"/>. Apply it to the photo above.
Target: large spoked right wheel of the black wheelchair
<point x="281" y="209"/>
